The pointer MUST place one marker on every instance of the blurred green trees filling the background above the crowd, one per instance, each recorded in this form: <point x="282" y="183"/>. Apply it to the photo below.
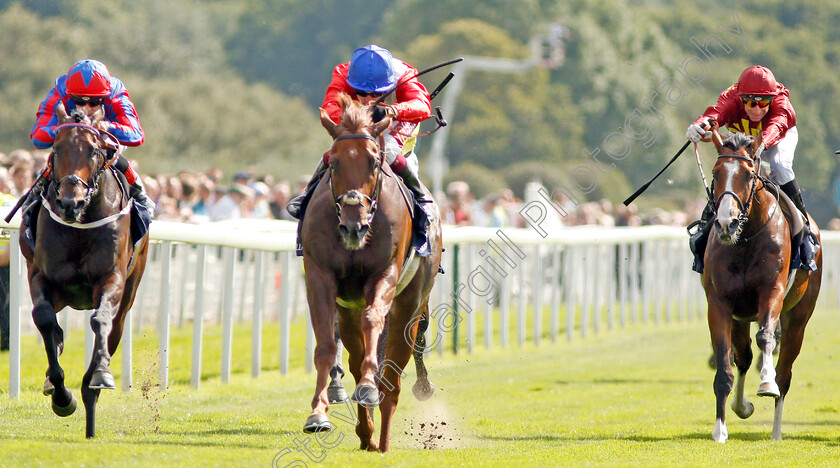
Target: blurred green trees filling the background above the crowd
<point x="236" y="83"/>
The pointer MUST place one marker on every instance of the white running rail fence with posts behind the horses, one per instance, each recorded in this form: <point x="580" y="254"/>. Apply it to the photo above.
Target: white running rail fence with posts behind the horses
<point x="573" y="282"/>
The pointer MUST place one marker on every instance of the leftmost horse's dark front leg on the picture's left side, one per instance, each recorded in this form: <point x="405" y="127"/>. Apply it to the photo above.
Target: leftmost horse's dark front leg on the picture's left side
<point x="43" y="314"/>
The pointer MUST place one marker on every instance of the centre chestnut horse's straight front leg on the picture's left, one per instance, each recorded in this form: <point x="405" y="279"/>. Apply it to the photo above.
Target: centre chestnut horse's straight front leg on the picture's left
<point x="321" y="290"/>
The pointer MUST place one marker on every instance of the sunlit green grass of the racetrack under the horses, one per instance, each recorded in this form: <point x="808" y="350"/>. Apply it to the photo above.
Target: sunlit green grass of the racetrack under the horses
<point x="640" y="396"/>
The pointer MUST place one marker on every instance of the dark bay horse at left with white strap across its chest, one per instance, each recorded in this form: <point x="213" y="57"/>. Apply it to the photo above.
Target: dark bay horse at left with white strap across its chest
<point x="83" y="256"/>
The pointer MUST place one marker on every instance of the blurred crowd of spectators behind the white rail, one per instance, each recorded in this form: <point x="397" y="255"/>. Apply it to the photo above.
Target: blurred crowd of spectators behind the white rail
<point x="210" y="195"/>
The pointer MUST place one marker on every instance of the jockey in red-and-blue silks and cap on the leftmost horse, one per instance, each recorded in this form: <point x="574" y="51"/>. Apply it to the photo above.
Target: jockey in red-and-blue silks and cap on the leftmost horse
<point x="89" y="85"/>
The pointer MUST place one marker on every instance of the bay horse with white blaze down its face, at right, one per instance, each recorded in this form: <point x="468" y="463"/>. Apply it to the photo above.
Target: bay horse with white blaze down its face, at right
<point x="748" y="278"/>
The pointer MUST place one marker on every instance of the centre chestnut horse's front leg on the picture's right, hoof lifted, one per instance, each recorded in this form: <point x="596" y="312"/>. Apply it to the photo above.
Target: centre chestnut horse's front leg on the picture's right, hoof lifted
<point x="379" y="295"/>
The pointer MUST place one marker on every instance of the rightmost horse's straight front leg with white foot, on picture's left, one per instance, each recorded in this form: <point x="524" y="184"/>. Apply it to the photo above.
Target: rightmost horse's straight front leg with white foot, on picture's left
<point x="720" y="326"/>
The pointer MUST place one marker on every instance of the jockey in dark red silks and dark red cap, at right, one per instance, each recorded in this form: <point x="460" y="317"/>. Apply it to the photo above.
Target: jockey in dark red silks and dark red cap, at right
<point x="756" y="104"/>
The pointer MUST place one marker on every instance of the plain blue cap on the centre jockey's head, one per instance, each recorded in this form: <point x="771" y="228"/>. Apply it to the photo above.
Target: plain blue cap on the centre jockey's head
<point x="372" y="70"/>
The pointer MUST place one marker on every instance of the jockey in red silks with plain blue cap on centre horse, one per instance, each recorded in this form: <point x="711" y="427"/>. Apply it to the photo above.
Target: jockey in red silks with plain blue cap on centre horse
<point x="372" y="72"/>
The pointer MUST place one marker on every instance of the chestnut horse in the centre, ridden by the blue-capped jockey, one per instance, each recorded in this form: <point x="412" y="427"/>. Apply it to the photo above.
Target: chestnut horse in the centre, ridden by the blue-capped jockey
<point x="356" y="238"/>
